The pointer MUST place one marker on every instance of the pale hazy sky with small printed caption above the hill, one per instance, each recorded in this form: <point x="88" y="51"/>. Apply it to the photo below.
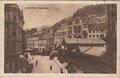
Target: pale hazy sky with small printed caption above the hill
<point x="38" y="15"/>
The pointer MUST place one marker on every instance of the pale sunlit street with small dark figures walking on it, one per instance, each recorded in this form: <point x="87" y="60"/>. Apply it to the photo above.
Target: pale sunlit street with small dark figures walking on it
<point x="44" y="65"/>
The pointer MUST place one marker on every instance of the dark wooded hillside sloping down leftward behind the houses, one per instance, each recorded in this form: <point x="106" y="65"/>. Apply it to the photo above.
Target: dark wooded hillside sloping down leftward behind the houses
<point x="99" y="10"/>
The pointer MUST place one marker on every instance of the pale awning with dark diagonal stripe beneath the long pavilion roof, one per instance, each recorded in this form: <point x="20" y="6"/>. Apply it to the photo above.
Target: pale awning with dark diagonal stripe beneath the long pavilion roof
<point x="95" y="51"/>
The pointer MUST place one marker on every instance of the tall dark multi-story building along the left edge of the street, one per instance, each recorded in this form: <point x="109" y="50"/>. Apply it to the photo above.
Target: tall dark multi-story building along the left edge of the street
<point x="14" y="37"/>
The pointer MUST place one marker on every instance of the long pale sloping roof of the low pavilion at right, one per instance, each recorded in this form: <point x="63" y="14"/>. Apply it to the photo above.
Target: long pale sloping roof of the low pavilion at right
<point x="84" y="41"/>
